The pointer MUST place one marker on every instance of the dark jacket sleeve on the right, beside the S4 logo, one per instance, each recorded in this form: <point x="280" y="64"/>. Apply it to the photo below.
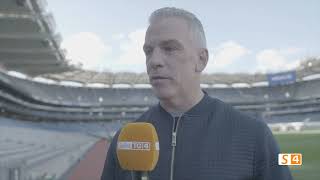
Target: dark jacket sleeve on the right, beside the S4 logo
<point x="266" y="157"/>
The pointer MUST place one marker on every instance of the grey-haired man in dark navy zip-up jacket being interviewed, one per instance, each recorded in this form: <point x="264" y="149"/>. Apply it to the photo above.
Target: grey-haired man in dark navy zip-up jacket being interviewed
<point x="200" y="137"/>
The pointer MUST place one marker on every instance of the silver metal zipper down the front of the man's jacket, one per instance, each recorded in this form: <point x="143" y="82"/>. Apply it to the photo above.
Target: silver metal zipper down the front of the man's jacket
<point x="173" y="144"/>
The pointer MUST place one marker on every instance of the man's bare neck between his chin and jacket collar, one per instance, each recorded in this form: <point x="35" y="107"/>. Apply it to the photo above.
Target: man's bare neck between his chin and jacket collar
<point x="183" y="103"/>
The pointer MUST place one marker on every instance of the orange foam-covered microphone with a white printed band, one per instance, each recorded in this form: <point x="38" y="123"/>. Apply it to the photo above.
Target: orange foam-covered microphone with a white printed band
<point x="138" y="149"/>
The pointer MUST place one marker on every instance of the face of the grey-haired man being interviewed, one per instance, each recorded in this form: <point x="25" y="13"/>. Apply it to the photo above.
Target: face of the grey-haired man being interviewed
<point x="170" y="57"/>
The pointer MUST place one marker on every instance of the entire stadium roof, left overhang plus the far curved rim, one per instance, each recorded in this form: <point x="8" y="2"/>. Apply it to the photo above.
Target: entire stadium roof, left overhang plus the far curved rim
<point x="30" y="45"/>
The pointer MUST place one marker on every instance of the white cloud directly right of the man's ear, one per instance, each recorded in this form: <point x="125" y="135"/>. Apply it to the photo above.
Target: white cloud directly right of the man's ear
<point x="224" y="55"/>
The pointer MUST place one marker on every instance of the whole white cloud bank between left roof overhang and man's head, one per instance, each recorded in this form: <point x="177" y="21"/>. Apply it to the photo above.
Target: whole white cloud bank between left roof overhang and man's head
<point x="89" y="49"/>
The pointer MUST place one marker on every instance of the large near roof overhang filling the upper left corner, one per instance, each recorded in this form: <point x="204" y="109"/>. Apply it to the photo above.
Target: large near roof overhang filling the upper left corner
<point x="28" y="42"/>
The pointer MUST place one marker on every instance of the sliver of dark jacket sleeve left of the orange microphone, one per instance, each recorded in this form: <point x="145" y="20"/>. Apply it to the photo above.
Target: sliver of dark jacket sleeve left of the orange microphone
<point x="111" y="164"/>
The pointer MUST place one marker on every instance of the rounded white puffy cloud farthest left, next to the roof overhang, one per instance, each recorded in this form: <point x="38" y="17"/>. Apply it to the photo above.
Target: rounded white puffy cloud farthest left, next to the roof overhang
<point x="86" y="48"/>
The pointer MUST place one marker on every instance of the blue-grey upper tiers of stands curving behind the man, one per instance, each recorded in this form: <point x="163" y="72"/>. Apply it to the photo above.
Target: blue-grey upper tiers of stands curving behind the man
<point x="59" y="102"/>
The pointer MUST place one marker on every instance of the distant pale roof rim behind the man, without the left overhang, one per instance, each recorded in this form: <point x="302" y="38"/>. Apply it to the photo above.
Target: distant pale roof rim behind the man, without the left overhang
<point x="307" y="68"/>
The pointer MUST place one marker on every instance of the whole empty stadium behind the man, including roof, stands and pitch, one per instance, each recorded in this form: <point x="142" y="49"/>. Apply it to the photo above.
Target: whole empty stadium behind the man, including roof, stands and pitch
<point x="56" y="119"/>
